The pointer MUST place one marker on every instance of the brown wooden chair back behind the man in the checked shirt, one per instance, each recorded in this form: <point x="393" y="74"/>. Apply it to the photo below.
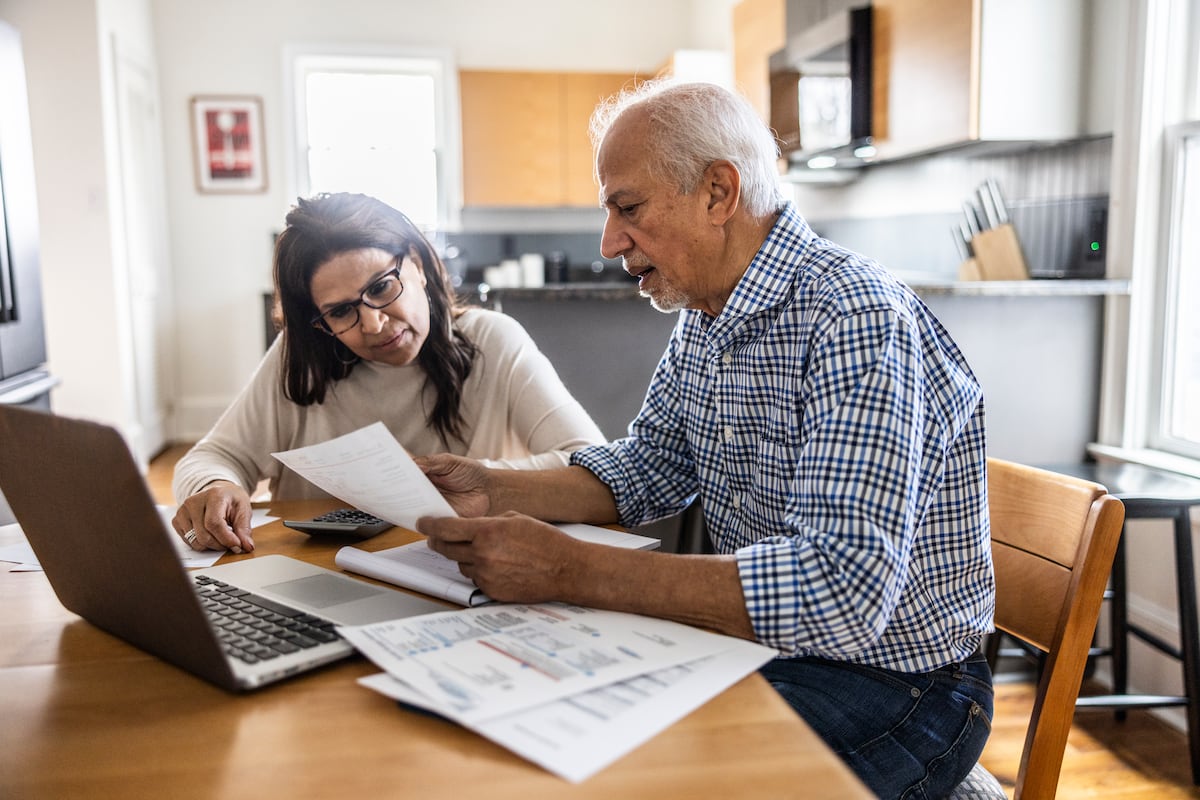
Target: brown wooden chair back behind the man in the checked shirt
<point x="1053" y="542"/>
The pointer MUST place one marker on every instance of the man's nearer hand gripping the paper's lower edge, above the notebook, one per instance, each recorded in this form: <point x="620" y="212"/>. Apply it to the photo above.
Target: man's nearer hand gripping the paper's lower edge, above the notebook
<point x="513" y="558"/>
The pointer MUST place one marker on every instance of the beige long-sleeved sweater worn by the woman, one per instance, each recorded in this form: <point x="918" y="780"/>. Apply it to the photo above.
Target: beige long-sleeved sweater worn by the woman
<point x="517" y="412"/>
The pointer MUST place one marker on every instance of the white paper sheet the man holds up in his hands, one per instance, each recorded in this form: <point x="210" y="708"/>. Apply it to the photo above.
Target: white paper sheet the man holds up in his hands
<point x="370" y="471"/>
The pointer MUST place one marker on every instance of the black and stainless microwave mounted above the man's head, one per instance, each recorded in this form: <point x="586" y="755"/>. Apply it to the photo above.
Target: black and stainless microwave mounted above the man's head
<point x="821" y="89"/>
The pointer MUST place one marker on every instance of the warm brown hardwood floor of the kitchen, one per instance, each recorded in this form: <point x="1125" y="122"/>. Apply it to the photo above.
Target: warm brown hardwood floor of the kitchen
<point x="1142" y="759"/>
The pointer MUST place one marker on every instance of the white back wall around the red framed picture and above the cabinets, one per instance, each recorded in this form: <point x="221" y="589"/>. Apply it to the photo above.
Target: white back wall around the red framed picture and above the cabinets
<point x="221" y="245"/>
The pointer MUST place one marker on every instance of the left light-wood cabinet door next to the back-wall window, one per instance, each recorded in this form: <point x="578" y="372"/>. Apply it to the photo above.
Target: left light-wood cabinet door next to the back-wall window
<point x="512" y="139"/>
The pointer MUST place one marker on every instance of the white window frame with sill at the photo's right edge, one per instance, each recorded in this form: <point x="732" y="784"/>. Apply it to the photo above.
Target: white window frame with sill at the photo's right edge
<point x="1155" y="97"/>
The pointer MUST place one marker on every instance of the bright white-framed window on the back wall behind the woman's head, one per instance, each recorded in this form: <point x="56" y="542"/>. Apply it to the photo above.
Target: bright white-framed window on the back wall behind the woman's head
<point x="379" y="124"/>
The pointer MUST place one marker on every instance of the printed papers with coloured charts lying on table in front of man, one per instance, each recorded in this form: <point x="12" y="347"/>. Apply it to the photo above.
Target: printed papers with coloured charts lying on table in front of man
<point x="569" y="689"/>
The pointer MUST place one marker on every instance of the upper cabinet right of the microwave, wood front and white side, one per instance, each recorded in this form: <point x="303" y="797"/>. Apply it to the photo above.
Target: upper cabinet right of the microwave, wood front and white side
<point x="951" y="73"/>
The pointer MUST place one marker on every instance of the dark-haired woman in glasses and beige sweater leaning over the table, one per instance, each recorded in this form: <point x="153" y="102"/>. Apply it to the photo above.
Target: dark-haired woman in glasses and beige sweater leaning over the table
<point x="371" y="330"/>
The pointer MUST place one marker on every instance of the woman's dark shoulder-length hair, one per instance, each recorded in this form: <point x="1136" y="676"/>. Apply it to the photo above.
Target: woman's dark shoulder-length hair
<point x="323" y="227"/>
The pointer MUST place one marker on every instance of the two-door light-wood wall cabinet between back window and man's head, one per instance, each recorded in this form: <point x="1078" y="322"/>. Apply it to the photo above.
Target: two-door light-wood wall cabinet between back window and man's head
<point x="525" y="136"/>
